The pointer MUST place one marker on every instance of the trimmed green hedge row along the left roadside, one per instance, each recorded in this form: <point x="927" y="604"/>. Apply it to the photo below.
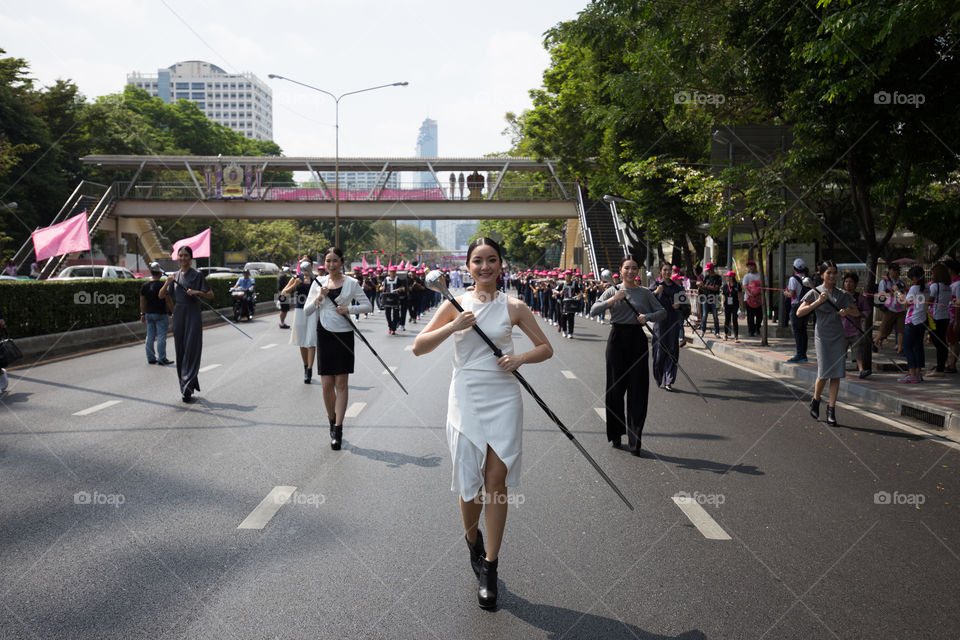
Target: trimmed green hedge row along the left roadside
<point x="33" y="308"/>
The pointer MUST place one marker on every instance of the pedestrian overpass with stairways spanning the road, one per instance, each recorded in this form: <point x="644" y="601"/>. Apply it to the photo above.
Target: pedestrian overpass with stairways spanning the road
<point x="239" y="187"/>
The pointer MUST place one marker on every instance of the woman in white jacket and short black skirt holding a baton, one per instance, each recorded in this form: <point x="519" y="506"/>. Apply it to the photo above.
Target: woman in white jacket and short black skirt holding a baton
<point x="333" y="296"/>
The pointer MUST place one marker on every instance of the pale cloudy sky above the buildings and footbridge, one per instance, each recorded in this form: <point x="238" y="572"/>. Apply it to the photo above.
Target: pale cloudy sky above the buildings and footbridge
<point x="467" y="63"/>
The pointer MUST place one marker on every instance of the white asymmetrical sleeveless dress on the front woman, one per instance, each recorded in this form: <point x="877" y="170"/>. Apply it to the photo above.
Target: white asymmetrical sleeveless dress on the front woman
<point x="484" y="404"/>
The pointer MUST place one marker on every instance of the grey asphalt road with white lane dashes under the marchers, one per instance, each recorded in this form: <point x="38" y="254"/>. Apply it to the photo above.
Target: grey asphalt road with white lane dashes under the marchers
<point x="123" y="523"/>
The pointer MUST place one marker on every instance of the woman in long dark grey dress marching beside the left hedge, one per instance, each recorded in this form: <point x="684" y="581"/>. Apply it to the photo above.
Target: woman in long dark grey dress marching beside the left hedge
<point x="187" y="285"/>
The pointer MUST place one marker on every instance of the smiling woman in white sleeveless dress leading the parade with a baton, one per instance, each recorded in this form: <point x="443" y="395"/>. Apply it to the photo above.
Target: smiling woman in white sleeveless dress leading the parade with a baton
<point x="485" y="410"/>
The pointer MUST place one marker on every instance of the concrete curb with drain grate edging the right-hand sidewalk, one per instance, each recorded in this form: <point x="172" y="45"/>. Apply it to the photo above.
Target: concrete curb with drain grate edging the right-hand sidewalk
<point x="855" y="393"/>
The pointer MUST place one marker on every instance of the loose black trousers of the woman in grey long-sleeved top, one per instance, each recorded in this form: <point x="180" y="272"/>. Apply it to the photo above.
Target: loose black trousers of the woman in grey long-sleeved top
<point x="628" y="374"/>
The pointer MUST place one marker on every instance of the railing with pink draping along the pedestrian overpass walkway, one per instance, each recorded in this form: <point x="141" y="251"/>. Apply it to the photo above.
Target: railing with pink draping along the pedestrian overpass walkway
<point x="512" y="191"/>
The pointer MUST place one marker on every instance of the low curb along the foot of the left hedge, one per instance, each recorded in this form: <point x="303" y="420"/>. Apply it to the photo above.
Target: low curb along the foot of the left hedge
<point x="67" y="343"/>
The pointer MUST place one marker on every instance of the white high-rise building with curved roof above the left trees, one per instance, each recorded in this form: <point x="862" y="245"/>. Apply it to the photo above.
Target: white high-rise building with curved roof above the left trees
<point x="241" y="102"/>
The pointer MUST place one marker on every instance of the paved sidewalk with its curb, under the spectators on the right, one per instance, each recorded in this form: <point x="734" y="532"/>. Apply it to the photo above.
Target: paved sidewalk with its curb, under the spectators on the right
<point x="933" y="405"/>
